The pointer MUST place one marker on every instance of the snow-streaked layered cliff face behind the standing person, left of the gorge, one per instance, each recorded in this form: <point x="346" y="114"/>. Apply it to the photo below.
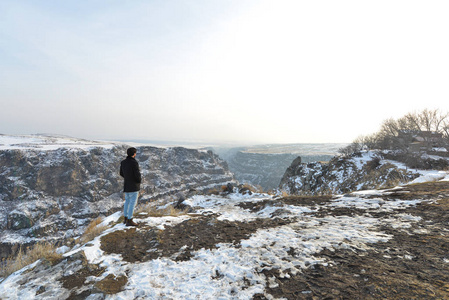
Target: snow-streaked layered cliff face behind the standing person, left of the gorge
<point x="54" y="193"/>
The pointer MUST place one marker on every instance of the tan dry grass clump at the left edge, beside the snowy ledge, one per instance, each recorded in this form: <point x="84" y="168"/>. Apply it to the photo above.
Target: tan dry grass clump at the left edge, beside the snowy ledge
<point x="45" y="251"/>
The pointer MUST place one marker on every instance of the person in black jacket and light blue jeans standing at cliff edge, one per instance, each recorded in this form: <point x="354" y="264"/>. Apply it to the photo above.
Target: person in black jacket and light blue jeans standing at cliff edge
<point x="129" y="170"/>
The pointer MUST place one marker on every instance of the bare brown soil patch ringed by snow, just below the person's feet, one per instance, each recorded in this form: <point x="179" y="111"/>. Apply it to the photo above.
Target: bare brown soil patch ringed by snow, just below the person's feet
<point x="145" y="243"/>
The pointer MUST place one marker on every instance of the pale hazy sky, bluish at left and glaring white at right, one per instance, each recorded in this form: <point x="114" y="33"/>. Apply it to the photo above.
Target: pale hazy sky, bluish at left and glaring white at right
<point x="245" y="71"/>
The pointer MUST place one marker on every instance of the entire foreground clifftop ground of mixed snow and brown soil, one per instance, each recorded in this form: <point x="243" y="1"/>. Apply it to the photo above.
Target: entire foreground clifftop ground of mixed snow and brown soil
<point x="255" y="247"/>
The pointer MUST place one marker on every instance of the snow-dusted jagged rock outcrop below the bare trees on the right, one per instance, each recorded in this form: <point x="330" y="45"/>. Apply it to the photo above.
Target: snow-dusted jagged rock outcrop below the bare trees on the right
<point x="343" y="175"/>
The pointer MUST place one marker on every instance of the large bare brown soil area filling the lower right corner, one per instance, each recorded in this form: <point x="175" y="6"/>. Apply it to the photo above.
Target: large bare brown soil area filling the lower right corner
<point x="409" y="266"/>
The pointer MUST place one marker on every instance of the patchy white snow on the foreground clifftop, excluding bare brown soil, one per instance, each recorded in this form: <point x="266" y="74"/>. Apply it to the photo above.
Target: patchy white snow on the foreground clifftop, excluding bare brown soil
<point x="239" y="267"/>
